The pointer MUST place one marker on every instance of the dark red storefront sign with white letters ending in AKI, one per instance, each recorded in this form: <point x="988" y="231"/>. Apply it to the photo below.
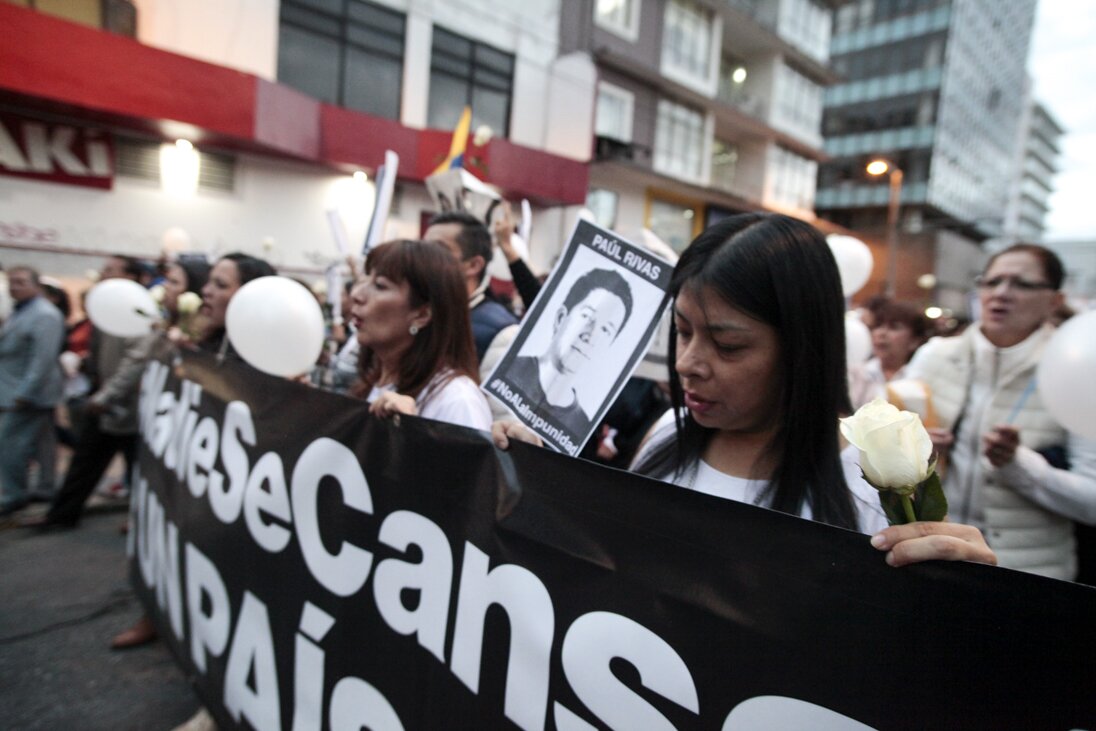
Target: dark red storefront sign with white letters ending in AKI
<point x="58" y="153"/>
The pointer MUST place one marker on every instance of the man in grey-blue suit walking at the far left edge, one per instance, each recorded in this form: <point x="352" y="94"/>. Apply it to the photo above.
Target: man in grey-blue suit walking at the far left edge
<point x="30" y="382"/>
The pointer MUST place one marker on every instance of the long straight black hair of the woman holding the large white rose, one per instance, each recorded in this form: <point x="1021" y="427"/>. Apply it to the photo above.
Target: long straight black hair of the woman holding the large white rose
<point x="780" y="271"/>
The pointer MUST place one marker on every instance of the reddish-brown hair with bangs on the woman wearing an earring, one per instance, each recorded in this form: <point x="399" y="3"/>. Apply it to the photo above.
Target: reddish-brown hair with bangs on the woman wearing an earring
<point x="435" y="279"/>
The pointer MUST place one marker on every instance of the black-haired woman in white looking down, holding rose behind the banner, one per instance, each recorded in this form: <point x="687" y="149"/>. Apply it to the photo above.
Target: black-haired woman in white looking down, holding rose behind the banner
<point x="759" y="385"/>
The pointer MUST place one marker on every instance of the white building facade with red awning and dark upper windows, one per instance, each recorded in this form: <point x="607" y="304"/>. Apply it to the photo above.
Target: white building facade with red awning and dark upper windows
<point x="281" y="102"/>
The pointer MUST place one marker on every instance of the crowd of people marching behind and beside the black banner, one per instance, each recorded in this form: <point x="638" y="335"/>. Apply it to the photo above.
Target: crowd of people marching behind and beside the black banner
<point x="749" y="412"/>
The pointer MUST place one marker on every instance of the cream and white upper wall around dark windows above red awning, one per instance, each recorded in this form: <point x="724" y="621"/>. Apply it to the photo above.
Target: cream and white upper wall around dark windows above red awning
<point x="244" y="35"/>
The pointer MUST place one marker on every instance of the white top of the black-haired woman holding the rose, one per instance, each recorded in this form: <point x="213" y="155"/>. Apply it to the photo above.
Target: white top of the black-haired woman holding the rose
<point x="870" y="516"/>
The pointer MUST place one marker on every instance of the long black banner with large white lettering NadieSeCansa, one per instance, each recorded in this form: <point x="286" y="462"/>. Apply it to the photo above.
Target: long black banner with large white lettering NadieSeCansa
<point x="315" y="568"/>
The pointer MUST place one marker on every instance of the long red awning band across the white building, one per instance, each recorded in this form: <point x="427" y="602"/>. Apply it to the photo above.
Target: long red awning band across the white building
<point x="56" y="68"/>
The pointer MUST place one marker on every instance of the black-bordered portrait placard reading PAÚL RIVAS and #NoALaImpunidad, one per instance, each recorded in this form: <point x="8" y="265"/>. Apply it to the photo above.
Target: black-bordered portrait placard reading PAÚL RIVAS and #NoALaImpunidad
<point x="583" y="338"/>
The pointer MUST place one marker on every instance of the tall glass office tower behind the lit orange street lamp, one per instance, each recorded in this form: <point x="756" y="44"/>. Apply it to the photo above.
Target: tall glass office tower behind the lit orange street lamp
<point x="938" y="88"/>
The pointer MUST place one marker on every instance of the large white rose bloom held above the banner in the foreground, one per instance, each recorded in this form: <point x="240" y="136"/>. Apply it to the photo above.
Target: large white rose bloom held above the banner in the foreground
<point x="895" y="447"/>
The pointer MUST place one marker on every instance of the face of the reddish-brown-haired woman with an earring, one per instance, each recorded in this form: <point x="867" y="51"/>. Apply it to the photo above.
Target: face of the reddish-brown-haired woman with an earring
<point x="383" y="314"/>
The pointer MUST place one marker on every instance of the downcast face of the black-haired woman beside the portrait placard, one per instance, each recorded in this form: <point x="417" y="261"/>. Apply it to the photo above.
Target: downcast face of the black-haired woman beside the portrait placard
<point x="729" y="364"/>
